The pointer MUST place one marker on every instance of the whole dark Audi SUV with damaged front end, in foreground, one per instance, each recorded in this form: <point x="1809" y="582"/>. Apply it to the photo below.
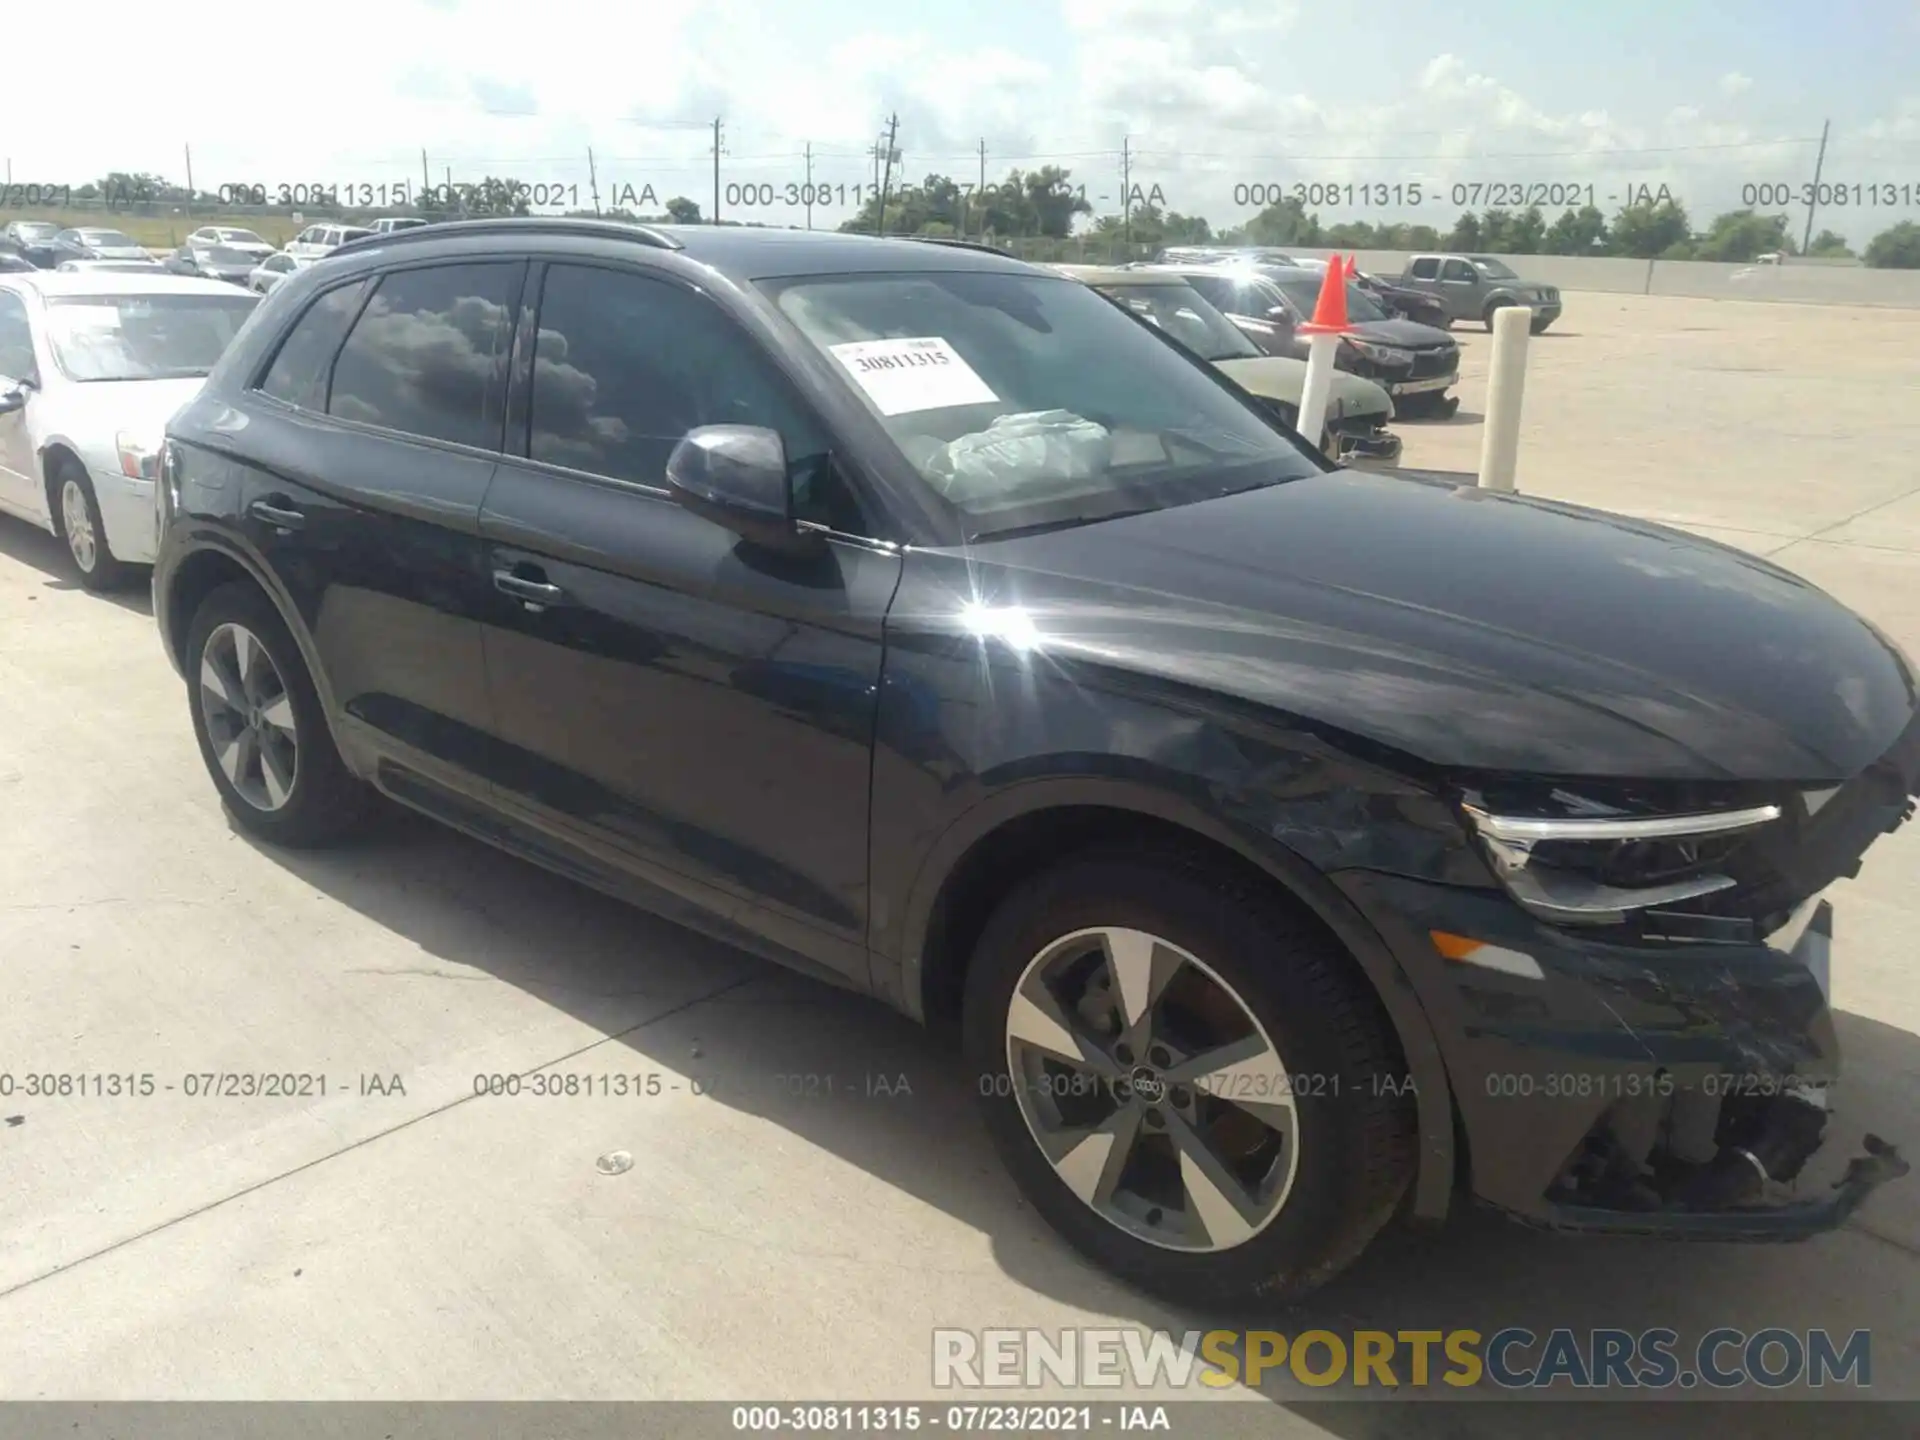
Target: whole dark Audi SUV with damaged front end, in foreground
<point x="1291" y="848"/>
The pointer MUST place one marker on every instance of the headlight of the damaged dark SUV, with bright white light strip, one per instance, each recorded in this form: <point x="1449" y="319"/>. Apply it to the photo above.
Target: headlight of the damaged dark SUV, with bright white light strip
<point x="1596" y="869"/>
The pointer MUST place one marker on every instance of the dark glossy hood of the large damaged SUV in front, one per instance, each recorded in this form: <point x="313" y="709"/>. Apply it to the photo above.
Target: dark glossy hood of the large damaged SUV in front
<point x="1472" y="629"/>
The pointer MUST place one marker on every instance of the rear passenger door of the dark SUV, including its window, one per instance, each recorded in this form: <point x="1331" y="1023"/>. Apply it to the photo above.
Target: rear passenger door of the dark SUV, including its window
<point x="375" y="444"/>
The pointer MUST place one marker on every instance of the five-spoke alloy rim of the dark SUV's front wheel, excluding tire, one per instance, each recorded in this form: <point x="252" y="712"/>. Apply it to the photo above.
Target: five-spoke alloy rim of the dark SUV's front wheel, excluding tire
<point x="1153" y="1090"/>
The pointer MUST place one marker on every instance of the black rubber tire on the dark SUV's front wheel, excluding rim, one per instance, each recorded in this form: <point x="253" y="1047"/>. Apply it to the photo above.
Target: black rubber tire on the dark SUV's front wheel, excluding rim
<point x="1356" y="1128"/>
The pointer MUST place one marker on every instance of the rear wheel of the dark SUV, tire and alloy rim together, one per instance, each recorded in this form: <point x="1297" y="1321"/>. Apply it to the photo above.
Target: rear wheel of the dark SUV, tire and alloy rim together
<point x="262" y="729"/>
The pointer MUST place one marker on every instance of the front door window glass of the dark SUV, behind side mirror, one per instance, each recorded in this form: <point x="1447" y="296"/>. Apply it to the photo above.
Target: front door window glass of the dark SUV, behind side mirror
<point x="627" y="366"/>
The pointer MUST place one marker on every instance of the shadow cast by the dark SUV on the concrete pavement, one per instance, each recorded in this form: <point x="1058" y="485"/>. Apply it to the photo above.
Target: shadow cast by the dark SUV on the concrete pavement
<point x="853" y="1078"/>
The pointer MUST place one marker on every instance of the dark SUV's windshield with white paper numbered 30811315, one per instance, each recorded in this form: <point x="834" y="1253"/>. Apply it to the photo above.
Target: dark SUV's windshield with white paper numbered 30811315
<point x="1034" y="402"/>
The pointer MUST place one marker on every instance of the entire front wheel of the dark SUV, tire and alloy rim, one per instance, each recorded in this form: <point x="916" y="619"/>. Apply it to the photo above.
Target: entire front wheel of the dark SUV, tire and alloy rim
<point x="1188" y="1078"/>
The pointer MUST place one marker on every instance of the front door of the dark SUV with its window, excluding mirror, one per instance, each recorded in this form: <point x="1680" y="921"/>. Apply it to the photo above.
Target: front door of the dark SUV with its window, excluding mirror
<point x="690" y="713"/>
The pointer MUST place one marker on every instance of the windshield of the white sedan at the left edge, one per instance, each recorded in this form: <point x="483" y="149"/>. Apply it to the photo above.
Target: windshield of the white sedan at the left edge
<point x="162" y="337"/>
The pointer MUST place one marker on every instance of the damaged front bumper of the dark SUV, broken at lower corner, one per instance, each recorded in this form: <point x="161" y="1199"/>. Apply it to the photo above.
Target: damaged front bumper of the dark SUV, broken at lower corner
<point x="1671" y="1090"/>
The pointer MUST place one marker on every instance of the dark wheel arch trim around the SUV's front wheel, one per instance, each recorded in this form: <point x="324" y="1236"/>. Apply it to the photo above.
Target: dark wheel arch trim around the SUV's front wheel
<point x="999" y="842"/>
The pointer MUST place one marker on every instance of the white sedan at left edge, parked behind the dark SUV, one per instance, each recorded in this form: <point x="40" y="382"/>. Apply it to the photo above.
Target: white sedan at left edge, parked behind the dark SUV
<point x="93" y="368"/>
